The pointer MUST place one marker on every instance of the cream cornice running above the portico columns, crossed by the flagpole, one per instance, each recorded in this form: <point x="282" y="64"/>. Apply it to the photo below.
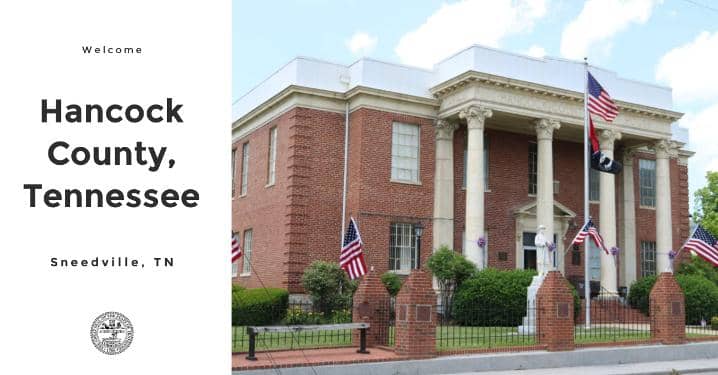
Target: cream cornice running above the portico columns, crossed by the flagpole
<point x="472" y="77"/>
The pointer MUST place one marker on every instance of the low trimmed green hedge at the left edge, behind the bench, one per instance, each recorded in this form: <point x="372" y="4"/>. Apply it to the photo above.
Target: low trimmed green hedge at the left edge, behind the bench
<point x="258" y="306"/>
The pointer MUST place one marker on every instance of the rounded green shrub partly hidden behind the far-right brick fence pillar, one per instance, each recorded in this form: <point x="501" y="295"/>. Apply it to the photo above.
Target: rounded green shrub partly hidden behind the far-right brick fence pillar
<point x="701" y="296"/>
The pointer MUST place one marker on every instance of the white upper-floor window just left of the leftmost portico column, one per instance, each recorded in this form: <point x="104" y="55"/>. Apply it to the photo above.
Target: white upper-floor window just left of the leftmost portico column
<point x="397" y="148"/>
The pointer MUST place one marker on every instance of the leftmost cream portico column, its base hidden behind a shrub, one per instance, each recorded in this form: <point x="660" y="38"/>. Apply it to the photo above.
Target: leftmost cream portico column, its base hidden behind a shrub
<point x="443" y="227"/>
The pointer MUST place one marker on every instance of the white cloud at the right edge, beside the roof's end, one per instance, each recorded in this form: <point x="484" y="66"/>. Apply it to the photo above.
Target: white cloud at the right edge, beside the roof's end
<point x="691" y="69"/>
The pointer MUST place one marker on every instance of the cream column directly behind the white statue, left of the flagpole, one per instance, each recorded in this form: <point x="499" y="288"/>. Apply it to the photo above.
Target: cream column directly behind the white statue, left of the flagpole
<point x="544" y="188"/>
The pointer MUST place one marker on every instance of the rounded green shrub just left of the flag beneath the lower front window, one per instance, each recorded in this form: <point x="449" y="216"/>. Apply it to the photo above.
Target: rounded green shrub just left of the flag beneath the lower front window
<point x="329" y="287"/>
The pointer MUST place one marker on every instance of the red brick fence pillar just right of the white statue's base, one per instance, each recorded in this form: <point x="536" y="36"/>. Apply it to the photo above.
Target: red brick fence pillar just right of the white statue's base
<point x="554" y="315"/>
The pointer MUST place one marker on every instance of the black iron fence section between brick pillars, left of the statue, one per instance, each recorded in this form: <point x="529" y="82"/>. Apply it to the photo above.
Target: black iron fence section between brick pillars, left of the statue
<point x="485" y="327"/>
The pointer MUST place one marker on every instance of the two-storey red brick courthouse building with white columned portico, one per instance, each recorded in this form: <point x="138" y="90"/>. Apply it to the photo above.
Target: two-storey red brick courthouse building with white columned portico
<point x="488" y="143"/>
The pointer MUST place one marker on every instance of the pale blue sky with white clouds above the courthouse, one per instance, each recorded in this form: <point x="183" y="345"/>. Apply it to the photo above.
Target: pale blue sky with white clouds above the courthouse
<point x="669" y="42"/>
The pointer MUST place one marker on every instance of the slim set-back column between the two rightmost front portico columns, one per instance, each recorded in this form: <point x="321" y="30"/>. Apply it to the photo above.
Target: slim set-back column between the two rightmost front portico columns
<point x="628" y="252"/>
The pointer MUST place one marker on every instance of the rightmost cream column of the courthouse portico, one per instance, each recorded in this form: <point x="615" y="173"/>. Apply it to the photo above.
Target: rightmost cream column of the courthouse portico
<point x="665" y="149"/>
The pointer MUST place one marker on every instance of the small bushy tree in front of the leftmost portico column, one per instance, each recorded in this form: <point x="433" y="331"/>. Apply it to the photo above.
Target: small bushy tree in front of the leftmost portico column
<point x="450" y="269"/>
